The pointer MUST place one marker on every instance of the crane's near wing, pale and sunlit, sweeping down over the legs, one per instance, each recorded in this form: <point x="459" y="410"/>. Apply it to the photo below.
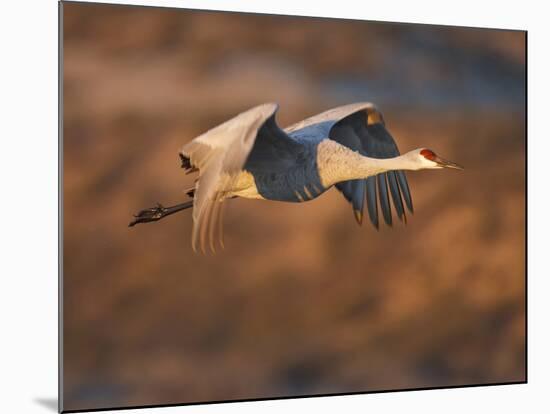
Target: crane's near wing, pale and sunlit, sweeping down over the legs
<point x="220" y="155"/>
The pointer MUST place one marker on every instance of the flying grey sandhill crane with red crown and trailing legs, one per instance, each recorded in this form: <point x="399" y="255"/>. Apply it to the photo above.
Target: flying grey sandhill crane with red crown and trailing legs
<point x="250" y="156"/>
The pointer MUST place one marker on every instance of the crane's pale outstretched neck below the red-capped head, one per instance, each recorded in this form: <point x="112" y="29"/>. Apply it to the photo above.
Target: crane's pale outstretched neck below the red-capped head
<point x="338" y="163"/>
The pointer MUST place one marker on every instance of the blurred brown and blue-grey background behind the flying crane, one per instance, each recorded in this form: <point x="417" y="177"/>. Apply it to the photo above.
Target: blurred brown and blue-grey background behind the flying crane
<point x="302" y="301"/>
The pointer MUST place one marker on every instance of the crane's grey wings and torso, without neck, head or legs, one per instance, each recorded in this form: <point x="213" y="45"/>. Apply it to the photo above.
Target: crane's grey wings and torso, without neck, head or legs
<point x="284" y="163"/>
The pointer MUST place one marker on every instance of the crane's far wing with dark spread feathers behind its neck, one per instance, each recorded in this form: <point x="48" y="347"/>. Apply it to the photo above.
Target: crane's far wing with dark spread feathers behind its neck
<point x="362" y="128"/>
